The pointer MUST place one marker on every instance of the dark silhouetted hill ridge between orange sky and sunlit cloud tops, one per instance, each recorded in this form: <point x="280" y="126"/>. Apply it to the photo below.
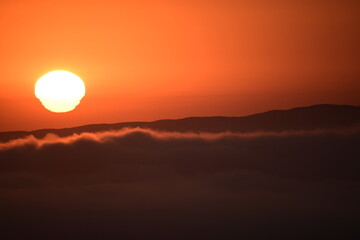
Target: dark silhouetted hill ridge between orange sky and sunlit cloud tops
<point x="301" y="118"/>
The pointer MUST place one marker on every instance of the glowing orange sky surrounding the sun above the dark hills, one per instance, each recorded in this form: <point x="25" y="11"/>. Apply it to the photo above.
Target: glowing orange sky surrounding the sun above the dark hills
<point x="148" y="60"/>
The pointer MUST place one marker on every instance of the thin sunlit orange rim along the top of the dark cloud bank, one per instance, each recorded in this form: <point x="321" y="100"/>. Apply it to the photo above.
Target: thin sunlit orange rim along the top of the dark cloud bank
<point x="105" y="136"/>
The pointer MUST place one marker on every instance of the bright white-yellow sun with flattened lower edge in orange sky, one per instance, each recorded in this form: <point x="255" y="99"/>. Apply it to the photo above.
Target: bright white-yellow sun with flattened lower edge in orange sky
<point x="60" y="91"/>
